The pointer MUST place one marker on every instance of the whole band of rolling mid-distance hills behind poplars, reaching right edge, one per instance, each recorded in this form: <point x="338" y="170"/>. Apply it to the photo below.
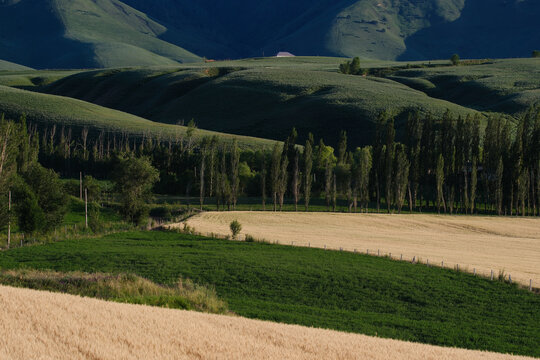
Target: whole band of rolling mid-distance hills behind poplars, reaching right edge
<point x="265" y="97"/>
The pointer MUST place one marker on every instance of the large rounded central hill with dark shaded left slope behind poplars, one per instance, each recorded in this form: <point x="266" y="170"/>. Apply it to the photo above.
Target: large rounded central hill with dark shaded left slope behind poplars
<point x="256" y="97"/>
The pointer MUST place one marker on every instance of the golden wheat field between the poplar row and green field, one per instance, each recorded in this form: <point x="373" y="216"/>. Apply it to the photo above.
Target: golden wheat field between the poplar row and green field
<point x="473" y="242"/>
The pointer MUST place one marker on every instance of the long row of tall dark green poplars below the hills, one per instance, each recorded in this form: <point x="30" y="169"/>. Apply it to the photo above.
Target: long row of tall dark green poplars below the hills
<point x="447" y="164"/>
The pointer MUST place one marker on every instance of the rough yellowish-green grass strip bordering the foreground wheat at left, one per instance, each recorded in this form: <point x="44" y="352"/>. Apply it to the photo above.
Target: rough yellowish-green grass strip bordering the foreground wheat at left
<point x="123" y="288"/>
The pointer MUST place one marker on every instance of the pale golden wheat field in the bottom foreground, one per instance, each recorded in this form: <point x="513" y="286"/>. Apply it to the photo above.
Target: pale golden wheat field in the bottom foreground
<point x="42" y="325"/>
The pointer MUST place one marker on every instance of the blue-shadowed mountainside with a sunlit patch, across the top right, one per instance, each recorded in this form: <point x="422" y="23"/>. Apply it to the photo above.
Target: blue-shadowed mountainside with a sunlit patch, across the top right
<point x="384" y="29"/>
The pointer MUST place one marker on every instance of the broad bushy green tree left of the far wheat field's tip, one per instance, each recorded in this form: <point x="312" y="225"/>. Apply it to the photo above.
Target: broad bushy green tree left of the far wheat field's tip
<point x="134" y="179"/>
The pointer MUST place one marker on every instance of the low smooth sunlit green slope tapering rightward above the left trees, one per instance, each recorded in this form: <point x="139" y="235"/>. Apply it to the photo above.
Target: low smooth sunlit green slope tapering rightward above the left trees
<point x="47" y="110"/>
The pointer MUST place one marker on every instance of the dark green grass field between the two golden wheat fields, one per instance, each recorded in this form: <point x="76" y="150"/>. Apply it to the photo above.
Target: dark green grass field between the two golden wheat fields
<point x="313" y="287"/>
